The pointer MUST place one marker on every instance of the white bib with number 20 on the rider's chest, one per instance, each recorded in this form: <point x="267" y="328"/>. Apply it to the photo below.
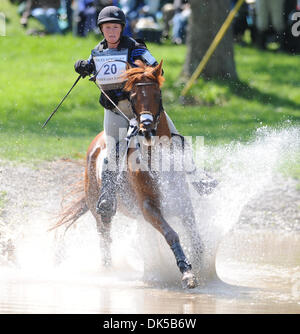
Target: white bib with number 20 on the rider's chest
<point x="109" y="69"/>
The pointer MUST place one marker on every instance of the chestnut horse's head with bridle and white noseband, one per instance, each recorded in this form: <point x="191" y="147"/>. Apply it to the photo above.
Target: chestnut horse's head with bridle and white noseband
<point x="143" y="84"/>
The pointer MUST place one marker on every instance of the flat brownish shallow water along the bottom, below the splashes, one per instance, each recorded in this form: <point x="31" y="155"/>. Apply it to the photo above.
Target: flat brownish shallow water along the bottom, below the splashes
<point x="253" y="280"/>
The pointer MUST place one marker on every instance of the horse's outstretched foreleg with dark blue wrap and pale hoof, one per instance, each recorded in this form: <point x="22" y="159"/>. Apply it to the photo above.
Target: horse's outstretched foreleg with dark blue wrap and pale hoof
<point x="152" y="214"/>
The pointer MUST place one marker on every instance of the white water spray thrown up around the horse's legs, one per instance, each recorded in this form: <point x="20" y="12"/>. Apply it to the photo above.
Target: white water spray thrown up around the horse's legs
<point x="244" y="171"/>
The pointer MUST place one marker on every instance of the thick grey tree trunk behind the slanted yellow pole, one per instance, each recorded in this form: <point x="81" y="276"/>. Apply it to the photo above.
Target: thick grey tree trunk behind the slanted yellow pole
<point x="205" y="21"/>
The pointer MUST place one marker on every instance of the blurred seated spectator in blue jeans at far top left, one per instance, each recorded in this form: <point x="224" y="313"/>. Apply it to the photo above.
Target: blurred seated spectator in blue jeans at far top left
<point x="45" y="11"/>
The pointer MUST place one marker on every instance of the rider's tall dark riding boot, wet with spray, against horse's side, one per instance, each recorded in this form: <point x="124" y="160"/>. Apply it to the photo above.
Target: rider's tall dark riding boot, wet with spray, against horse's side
<point x="107" y="202"/>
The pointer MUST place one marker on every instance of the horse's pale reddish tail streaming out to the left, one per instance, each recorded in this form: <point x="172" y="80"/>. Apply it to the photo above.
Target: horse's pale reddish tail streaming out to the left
<point x="76" y="207"/>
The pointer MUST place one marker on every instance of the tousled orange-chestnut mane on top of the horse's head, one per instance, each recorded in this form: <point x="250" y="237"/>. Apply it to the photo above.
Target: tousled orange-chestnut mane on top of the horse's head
<point x="137" y="74"/>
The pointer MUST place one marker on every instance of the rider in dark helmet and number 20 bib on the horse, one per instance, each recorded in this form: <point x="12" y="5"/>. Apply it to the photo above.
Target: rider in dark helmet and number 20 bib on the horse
<point x="115" y="45"/>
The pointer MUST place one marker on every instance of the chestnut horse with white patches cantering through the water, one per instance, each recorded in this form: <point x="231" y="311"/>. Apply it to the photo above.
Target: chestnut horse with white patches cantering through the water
<point x="143" y="84"/>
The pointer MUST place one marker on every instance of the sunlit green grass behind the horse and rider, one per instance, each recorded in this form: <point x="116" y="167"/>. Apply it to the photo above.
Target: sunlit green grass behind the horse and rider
<point x="36" y="72"/>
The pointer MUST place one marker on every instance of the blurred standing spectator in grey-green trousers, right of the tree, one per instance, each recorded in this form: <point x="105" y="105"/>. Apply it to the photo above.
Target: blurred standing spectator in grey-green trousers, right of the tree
<point x="269" y="11"/>
